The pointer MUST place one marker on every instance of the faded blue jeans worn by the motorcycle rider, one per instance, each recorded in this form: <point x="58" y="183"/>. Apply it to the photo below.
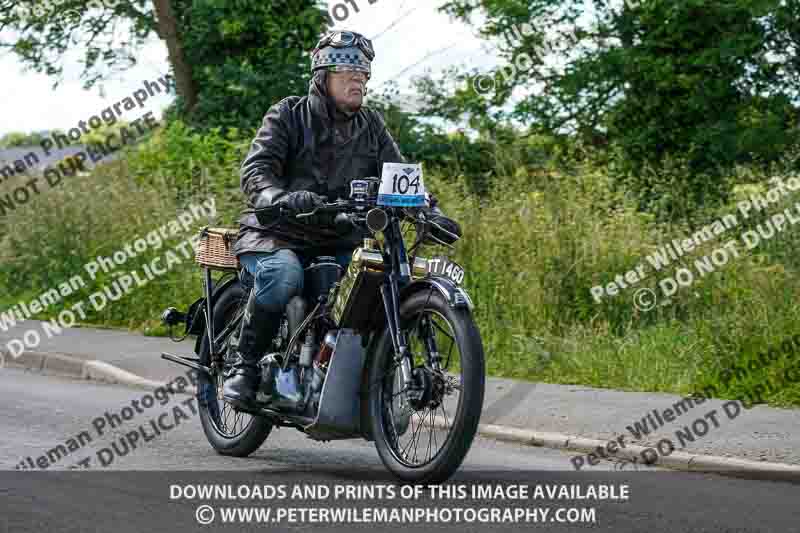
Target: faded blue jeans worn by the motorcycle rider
<point x="278" y="275"/>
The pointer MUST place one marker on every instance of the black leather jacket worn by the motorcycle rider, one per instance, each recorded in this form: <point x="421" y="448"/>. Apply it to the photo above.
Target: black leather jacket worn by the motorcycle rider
<point x="306" y="144"/>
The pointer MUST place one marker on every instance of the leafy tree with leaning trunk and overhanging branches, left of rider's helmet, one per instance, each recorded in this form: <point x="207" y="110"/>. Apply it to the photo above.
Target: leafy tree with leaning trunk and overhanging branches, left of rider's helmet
<point x="231" y="58"/>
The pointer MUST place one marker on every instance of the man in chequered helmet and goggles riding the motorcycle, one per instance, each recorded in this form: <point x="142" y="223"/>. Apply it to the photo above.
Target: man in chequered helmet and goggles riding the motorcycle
<point x="306" y="149"/>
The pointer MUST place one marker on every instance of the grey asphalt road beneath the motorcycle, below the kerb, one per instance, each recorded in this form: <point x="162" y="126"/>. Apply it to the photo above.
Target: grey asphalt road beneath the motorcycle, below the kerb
<point x="39" y="412"/>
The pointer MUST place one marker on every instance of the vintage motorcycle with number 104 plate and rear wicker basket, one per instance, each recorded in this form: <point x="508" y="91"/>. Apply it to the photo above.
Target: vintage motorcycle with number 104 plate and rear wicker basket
<point x="386" y="350"/>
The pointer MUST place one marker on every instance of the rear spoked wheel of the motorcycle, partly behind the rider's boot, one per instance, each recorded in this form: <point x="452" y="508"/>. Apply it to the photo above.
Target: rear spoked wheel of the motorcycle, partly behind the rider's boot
<point x="230" y="432"/>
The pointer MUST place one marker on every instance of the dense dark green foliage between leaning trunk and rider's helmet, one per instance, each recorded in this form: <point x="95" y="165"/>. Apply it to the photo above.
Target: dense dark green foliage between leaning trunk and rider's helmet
<point x="246" y="56"/>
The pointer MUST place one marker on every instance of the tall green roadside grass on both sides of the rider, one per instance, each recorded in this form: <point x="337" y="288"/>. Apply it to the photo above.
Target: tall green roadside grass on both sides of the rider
<point x="532" y="251"/>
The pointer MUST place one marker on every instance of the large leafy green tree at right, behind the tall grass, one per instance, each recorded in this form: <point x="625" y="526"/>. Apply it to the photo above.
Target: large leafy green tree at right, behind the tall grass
<point x="654" y="79"/>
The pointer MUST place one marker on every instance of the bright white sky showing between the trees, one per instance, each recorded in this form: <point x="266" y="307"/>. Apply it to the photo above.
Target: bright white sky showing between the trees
<point x="412" y="37"/>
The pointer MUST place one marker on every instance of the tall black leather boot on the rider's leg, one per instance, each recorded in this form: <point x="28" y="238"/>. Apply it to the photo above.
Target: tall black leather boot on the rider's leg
<point x="257" y="331"/>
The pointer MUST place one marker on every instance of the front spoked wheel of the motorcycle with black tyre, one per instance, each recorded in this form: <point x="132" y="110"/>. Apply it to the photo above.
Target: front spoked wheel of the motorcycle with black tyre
<point x="423" y="433"/>
